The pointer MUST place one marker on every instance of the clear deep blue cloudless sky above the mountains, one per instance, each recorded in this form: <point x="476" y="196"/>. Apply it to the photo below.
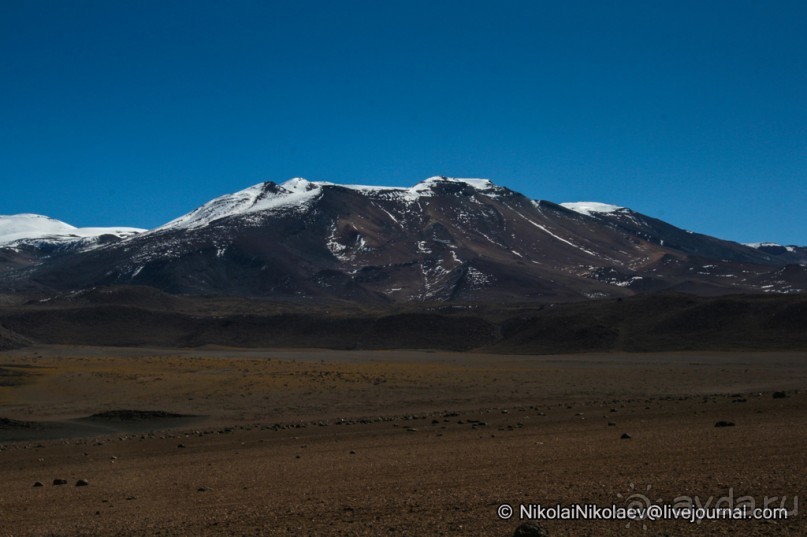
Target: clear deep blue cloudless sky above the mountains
<point x="133" y="112"/>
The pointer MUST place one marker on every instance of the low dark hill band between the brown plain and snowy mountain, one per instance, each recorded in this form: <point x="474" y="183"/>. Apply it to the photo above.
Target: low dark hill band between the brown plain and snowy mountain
<point x="132" y="316"/>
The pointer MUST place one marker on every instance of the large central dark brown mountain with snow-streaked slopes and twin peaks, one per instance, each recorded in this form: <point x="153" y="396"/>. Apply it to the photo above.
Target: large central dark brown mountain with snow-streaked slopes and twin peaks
<point x="441" y="239"/>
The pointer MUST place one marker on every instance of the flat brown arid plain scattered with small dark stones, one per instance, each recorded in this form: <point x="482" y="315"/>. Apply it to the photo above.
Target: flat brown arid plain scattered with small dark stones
<point x="315" y="442"/>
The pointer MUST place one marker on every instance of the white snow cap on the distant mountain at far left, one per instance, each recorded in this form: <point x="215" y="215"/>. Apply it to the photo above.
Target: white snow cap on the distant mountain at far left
<point x="34" y="226"/>
